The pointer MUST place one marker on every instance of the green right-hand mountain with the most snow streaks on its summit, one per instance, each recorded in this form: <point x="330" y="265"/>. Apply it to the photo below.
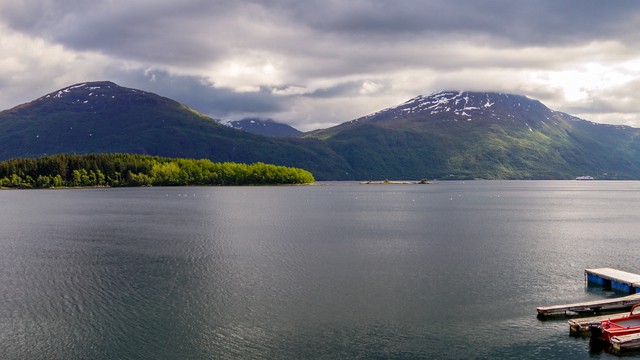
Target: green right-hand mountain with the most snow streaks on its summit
<point x="467" y="135"/>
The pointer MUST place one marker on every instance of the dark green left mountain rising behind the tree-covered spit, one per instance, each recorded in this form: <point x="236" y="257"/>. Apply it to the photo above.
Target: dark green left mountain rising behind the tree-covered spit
<point x="102" y="117"/>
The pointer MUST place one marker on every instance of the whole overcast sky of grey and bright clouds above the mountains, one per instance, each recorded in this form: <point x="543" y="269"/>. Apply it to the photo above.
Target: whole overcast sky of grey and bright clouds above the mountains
<point x="314" y="64"/>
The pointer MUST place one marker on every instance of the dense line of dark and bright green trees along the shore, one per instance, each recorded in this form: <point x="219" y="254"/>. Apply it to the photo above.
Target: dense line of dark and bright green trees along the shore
<point x="139" y="170"/>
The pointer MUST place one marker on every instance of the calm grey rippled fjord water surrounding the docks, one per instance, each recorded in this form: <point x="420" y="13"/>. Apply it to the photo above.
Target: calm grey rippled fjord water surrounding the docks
<point x="447" y="270"/>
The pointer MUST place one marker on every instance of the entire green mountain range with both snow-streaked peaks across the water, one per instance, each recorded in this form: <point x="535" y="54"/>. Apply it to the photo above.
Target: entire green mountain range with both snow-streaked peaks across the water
<point x="446" y="135"/>
